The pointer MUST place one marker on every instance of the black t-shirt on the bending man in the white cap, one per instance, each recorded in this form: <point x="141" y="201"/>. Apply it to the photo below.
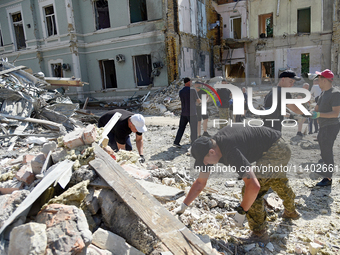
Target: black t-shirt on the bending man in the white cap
<point x="121" y="130"/>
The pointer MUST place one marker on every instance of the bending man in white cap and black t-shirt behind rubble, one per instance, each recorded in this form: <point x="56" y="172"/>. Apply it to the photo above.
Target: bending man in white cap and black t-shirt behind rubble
<point x="119" y="136"/>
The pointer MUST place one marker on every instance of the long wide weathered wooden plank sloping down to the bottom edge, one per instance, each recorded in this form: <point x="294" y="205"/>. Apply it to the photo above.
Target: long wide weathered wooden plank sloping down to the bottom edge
<point x="173" y="233"/>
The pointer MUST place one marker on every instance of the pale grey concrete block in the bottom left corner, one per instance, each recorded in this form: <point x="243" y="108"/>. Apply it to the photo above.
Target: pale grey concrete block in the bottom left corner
<point x="29" y="238"/>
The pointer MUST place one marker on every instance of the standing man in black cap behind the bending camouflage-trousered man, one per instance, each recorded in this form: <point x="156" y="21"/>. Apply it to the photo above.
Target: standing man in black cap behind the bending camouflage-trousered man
<point x="287" y="79"/>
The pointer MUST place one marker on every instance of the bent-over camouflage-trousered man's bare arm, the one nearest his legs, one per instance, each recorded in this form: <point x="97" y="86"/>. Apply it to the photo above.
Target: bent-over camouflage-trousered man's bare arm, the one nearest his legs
<point x="252" y="187"/>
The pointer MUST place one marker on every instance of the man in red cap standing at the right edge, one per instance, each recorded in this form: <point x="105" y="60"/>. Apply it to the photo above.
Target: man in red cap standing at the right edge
<point x="327" y="112"/>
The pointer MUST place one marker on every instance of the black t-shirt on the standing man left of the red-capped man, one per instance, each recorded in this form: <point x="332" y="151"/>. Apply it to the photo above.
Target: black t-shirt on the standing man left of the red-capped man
<point x="268" y="101"/>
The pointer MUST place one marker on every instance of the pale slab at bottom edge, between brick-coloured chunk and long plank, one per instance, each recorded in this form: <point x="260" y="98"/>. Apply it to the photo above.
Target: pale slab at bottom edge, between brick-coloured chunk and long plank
<point x="109" y="241"/>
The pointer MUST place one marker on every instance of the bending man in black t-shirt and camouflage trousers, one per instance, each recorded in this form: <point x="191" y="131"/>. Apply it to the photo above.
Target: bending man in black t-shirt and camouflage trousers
<point x="237" y="147"/>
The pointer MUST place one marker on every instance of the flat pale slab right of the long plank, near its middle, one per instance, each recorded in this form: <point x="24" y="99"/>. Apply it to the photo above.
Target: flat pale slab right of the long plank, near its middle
<point x="161" y="192"/>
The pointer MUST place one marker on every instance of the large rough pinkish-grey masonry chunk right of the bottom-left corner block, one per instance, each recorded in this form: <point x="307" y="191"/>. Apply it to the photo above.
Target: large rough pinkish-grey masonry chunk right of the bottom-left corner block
<point x="66" y="227"/>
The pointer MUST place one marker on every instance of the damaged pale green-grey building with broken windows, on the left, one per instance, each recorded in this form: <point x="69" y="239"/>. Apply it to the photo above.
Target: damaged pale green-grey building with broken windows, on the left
<point x="120" y="48"/>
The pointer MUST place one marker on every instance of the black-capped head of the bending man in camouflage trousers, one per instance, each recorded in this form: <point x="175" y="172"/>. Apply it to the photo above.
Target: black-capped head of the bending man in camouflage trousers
<point x="205" y="151"/>
